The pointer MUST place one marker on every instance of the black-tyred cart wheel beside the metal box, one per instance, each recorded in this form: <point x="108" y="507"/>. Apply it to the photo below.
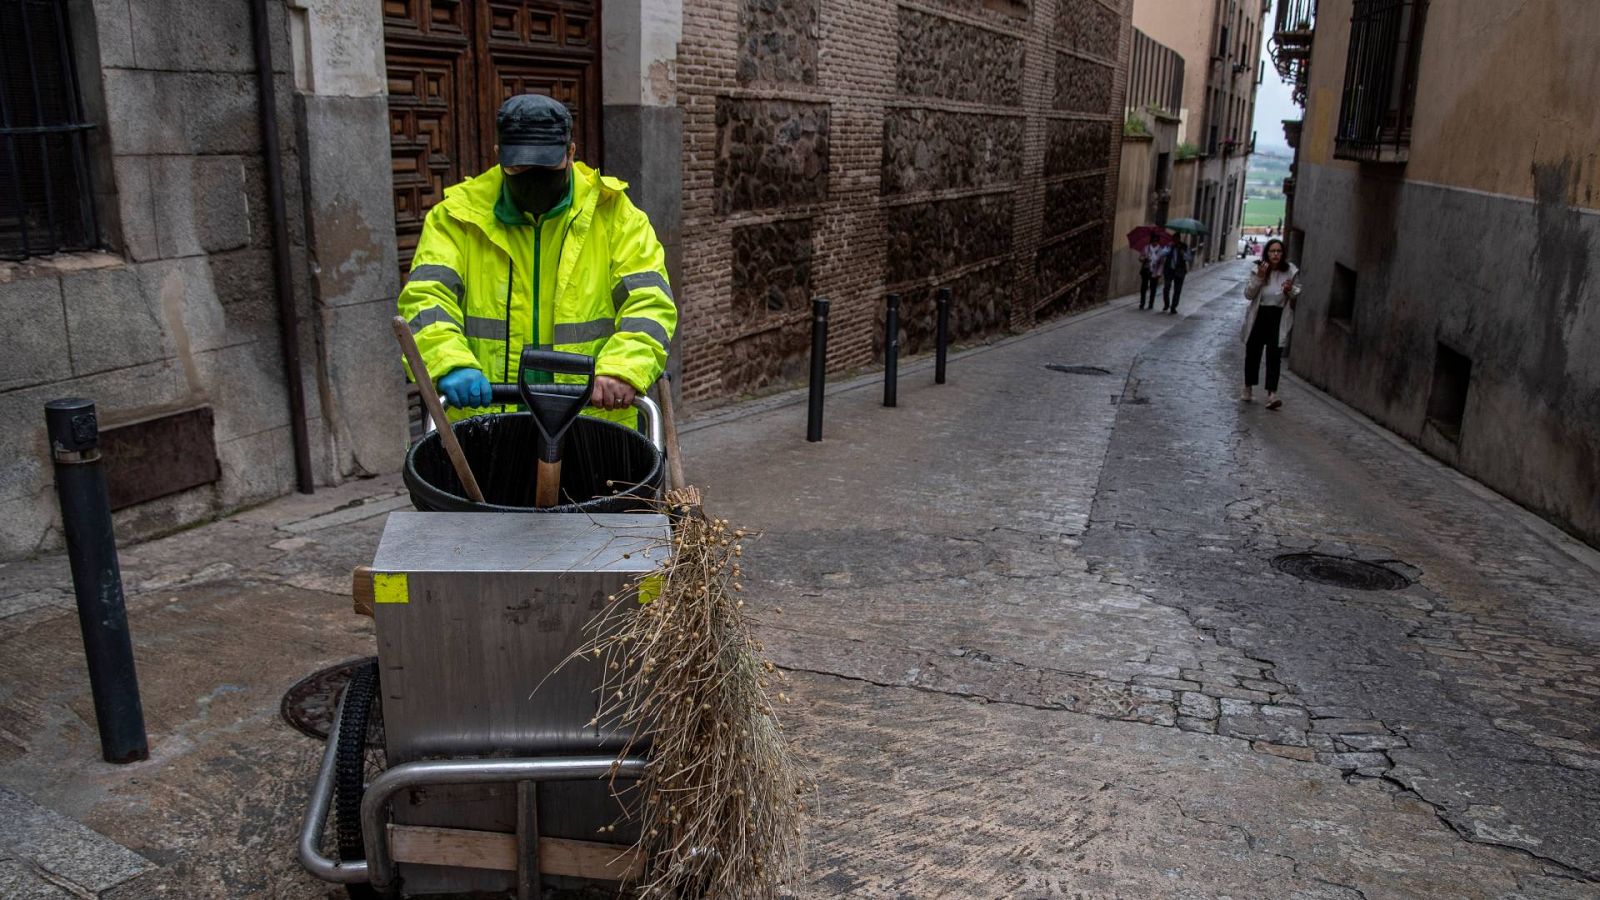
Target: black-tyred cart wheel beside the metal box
<point x="359" y="758"/>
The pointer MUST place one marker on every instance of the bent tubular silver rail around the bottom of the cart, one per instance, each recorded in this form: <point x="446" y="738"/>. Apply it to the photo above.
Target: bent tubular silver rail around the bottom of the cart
<point x="378" y="869"/>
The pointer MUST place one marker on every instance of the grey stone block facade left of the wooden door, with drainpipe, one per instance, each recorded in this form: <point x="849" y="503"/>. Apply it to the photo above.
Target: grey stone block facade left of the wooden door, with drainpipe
<point x="167" y="311"/>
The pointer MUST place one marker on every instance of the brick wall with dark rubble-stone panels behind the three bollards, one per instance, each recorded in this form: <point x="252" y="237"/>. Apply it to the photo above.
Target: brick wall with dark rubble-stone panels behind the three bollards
<point x="857" y="148"/>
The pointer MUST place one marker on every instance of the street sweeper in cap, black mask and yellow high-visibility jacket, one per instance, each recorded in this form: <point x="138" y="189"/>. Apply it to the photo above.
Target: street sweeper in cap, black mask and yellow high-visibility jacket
<point x="538" y="251"/>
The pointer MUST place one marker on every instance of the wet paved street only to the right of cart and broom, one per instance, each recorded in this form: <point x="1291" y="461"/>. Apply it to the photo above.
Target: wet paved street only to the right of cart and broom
<point x="1097" y="681"/>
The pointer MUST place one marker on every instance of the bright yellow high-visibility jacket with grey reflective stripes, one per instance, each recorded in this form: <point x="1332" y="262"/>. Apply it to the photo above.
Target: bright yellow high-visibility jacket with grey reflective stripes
<point x="588" y="278"/>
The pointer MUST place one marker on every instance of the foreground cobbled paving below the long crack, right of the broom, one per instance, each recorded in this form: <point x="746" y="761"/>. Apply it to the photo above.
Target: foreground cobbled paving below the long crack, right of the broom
<point x="927" y="795"/>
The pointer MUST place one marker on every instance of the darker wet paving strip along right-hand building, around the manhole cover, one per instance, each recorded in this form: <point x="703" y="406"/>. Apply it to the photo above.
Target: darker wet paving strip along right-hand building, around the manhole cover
<point x="1476" y="689"/>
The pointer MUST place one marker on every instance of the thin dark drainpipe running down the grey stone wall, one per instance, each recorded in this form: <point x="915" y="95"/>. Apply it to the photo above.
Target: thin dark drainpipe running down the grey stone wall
<point x="289" y="323"/>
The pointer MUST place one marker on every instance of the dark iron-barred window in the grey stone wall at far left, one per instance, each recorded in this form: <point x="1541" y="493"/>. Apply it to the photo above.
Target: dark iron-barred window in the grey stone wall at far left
<point x="46" y="196"/>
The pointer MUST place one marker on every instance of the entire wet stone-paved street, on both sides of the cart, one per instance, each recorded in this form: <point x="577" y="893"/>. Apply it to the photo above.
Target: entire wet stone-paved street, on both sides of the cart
<point x="1038" y="640"/>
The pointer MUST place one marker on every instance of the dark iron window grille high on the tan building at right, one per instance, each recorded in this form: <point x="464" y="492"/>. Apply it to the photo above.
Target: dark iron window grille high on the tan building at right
<point x="1380" y="81"/>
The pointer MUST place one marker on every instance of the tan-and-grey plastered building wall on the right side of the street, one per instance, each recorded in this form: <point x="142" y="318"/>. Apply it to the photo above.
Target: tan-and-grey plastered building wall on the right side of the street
<point x="1449" y="236"/>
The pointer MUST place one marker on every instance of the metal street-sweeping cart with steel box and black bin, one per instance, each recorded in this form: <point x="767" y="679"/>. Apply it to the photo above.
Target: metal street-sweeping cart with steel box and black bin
<point x="466" y="758"/>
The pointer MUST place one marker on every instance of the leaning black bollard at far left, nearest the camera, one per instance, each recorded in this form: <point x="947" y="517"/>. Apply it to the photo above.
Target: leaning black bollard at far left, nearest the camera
<point x="97" y="579"/>
